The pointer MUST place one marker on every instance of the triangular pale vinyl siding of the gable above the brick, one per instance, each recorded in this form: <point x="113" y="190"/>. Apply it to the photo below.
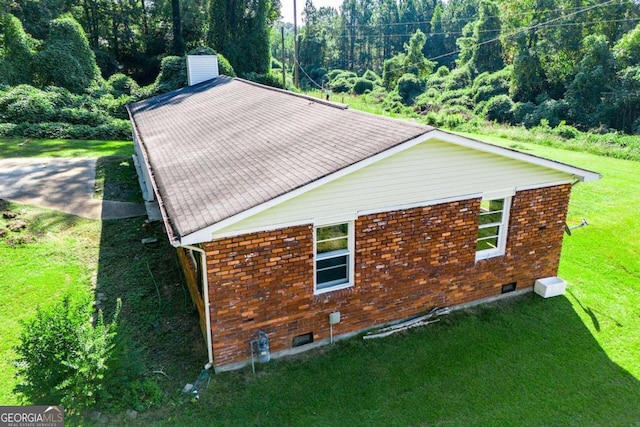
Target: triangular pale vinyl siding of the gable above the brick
<point x="432" y="170"/>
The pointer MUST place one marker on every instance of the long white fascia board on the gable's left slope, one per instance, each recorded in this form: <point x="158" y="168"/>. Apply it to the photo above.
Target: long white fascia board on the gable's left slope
<point x="206" y="234"/>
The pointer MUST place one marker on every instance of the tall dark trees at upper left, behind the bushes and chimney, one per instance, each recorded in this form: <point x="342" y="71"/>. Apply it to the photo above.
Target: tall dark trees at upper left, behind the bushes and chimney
<point x="132" y="36"/>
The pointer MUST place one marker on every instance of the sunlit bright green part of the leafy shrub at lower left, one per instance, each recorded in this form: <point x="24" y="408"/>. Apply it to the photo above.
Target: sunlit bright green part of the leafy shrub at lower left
<point x="63" y="357"/>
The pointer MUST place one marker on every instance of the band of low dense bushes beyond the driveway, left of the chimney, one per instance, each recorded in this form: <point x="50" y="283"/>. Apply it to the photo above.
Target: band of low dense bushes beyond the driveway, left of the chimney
<point x="98" y="113"/>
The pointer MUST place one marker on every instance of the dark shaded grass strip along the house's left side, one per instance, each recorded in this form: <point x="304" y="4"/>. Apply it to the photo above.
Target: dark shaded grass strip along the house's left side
<point x="160" y="346"/>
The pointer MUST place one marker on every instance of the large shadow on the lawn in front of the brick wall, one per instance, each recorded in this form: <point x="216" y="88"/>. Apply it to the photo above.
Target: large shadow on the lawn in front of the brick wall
<point x="528" y="361"/>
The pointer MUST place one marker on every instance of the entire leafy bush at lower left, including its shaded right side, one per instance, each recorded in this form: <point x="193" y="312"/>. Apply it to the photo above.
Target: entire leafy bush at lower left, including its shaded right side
<point x="68" y="355"/>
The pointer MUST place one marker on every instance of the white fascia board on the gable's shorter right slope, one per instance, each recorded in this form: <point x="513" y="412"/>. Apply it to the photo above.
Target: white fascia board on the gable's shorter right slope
<point x="582" y="174"/>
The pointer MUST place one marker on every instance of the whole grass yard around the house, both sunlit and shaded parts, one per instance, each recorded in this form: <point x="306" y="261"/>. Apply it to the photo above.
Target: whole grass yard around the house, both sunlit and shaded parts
<point x="572" y="360"/>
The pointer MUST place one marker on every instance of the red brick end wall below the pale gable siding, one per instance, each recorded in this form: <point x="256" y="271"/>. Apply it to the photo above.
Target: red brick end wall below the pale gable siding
<point x="406" y="262"/>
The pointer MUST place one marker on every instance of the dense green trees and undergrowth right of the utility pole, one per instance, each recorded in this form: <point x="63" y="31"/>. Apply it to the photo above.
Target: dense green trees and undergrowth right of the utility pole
<point x="577" y="58"/>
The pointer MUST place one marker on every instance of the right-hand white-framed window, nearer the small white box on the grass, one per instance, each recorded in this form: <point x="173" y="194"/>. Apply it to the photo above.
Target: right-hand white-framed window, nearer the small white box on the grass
<point x="492" y="228"/>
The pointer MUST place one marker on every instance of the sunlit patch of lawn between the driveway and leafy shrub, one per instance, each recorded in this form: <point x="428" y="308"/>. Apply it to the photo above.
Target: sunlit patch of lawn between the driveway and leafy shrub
<point x="55" y="255"/>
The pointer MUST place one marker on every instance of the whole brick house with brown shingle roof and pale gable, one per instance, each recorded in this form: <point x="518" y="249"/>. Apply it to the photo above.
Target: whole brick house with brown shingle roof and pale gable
<point x="285" y="208"/>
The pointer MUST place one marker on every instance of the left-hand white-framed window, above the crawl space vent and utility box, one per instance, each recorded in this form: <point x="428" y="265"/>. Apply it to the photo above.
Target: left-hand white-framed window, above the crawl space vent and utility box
<point x="334" y="257"/>
